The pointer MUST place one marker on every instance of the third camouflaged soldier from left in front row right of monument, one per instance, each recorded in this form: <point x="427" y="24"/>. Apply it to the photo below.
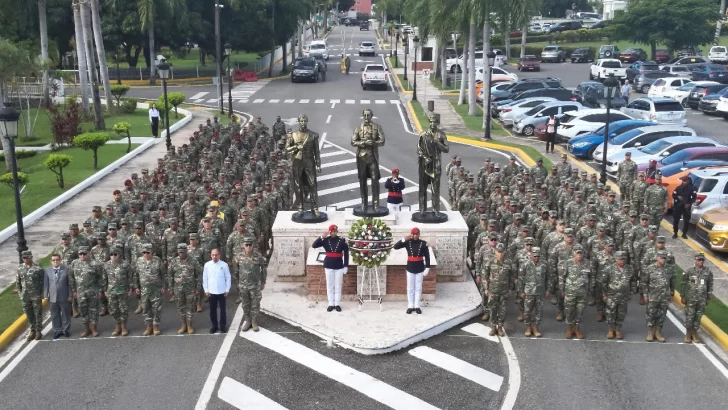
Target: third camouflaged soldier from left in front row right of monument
<point x="574" y="286"/>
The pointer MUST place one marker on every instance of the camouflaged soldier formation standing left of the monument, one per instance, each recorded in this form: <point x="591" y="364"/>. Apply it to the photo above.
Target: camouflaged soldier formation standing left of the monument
<point x="221" y="191"/>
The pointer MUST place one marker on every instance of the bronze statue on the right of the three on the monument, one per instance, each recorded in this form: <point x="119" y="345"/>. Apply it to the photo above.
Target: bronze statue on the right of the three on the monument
<point x="431" y="145"/>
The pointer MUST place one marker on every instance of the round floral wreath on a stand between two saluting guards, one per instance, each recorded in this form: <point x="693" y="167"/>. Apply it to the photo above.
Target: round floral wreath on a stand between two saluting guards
<point x="370" y="241"/>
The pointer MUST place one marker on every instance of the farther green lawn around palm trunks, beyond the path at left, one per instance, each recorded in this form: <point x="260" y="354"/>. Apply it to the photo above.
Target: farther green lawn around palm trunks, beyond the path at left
<point x="42" y="135"/>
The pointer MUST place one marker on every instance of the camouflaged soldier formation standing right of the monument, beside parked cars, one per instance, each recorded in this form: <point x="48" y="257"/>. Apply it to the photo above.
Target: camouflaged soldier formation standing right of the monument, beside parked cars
<point x="563" y="235"/>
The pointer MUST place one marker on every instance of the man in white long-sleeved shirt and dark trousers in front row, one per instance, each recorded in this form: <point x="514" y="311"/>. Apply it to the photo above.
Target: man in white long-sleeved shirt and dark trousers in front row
<point x="216" y="283"/>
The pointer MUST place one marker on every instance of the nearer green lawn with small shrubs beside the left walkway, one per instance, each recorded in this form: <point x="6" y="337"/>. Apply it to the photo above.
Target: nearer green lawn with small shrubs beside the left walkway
<point x="43" y="186"/>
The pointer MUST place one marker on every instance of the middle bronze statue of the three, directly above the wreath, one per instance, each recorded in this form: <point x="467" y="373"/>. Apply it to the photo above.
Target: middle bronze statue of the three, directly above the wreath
<point x="368" y="137"/>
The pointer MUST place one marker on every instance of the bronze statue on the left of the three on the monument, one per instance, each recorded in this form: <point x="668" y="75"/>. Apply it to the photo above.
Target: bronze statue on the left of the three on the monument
<point x="303" y="150"/>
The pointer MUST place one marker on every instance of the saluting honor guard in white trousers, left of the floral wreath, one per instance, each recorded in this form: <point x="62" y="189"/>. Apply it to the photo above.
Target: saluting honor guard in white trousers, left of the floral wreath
<point x="336" y="264"/>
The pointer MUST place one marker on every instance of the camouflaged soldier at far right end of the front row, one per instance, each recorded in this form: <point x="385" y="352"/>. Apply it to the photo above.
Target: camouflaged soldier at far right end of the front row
<point x="696" y="289"/>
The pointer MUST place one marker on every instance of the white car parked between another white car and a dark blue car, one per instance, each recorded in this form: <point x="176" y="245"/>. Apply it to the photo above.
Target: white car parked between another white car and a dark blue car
<point x="658" y="149"/>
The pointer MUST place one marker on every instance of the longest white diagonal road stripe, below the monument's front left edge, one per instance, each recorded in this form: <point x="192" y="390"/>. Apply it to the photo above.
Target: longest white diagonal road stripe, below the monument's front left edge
<point x="361" y="382"/>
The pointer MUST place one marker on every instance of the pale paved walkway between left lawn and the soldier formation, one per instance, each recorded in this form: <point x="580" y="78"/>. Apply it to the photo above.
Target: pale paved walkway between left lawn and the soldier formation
<point x="45" y="234"/>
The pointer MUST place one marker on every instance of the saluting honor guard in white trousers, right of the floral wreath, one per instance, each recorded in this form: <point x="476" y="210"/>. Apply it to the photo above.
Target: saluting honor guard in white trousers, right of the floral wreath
<point x="418" y="266"/>
